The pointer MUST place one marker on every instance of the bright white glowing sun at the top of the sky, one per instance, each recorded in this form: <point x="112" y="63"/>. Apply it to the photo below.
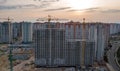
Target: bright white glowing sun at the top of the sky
<point x="80" y="4"/>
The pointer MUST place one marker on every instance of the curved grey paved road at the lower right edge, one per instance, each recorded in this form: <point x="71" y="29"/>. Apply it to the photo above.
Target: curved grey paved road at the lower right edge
<point x="111" y="56"/>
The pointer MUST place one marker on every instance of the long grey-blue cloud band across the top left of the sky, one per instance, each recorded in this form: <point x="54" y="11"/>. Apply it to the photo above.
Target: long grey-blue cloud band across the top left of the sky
<point x="42" y="4"/>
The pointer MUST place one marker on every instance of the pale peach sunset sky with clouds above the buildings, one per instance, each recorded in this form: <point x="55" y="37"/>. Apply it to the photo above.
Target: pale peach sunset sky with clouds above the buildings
<point x="76" y="10"/>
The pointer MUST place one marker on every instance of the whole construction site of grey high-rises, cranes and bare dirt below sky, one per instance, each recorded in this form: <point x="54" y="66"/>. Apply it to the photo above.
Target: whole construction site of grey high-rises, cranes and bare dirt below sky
<point x="54" y="46"/>
